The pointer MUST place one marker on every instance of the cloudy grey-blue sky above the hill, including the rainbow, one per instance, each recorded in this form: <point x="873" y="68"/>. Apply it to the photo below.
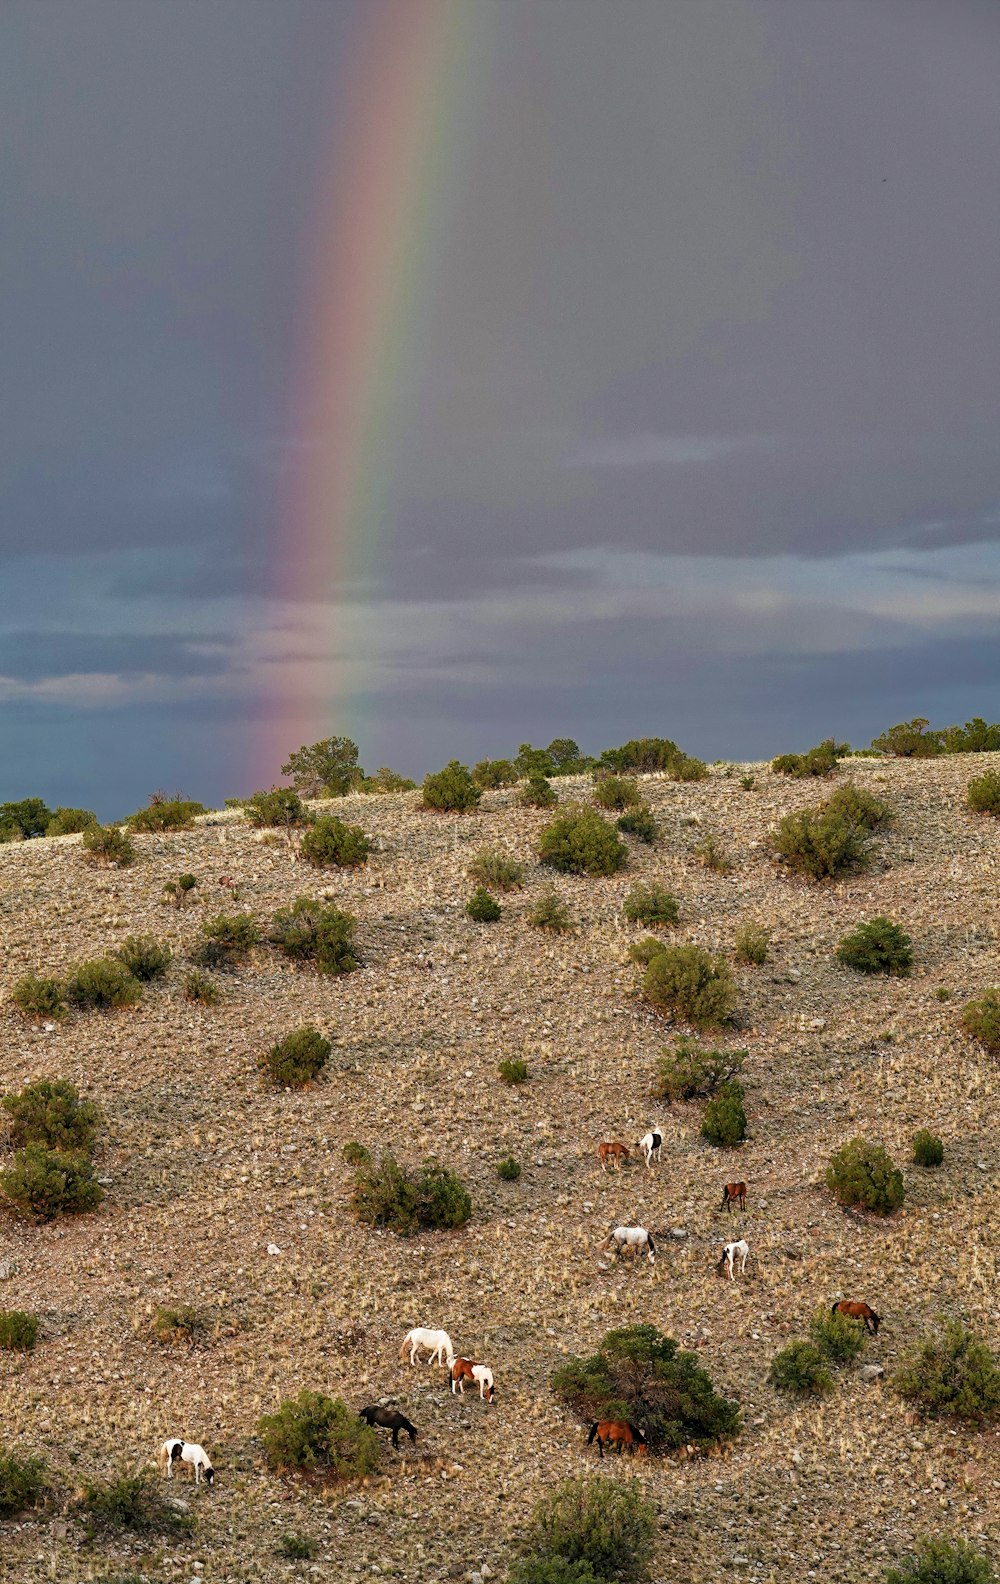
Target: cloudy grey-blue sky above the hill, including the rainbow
<point x="682" y="409"/>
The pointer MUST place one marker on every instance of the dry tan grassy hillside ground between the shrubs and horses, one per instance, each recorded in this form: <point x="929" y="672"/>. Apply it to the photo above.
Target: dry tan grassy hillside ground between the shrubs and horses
<point x="208" y="1168"/>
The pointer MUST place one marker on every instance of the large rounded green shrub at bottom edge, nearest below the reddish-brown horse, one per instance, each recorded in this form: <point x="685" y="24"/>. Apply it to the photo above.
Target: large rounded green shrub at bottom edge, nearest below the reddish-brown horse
<point x="589" y="1529"/>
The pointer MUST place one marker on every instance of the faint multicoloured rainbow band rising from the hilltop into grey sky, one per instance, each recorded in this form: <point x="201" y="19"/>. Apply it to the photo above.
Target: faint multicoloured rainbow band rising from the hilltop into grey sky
<point x="380" y="226"/>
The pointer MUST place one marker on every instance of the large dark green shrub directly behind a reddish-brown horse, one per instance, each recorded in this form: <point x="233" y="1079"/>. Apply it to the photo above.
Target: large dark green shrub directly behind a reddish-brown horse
<point x="641" y="1376"/>
